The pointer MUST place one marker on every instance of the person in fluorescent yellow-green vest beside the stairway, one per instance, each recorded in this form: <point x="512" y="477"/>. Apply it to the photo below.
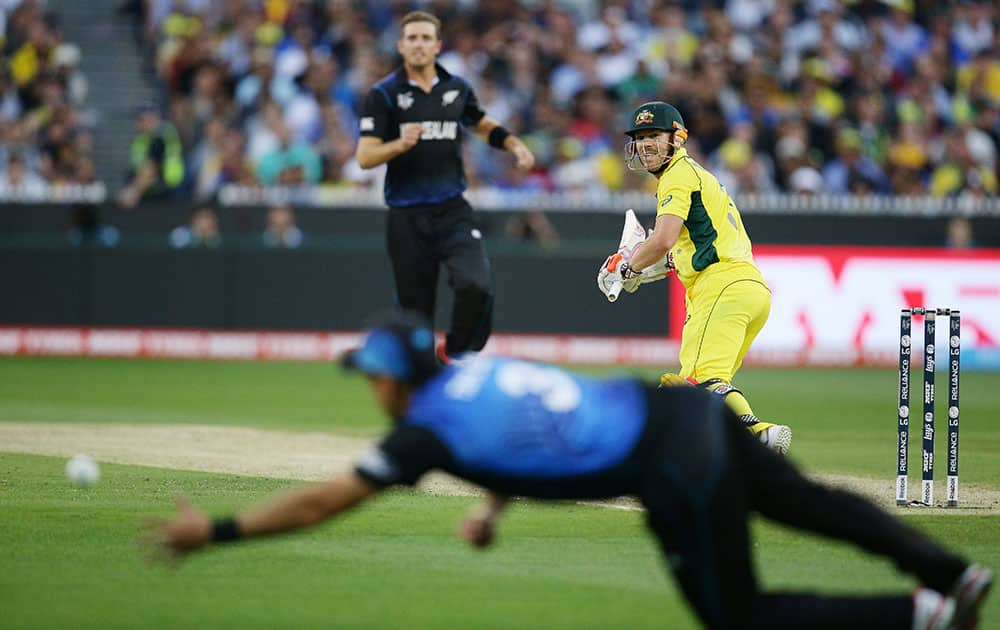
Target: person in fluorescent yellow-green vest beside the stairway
<point x="157" y="161"/>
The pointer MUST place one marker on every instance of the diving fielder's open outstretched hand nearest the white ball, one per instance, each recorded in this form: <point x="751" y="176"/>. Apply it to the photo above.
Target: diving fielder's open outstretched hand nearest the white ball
<point x="166" y="540"/>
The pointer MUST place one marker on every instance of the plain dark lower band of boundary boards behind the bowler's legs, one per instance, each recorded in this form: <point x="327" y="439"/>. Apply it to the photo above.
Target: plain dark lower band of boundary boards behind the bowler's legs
<point x="306" y="290"/>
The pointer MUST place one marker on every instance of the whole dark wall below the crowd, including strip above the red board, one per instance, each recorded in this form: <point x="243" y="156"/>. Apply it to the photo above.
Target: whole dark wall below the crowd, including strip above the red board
<point x="341" y="274"/>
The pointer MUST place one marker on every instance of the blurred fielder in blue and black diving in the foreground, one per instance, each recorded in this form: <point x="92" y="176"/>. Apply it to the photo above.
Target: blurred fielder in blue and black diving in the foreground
<point x="526" y="429"/>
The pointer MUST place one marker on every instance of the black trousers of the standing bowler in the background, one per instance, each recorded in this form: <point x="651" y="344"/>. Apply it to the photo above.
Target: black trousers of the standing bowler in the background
<point x="422" y="239"/>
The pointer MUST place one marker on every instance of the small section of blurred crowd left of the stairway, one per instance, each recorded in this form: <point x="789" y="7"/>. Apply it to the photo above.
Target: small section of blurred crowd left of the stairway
<point x="45" y="135"/>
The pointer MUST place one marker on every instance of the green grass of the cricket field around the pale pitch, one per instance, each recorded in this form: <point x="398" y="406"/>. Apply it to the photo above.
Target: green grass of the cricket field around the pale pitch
<point x="66" y="555"/>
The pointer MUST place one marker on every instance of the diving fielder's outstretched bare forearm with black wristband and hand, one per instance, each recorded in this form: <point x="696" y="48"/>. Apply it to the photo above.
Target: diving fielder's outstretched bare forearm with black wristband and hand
<point x="191" y="529"/>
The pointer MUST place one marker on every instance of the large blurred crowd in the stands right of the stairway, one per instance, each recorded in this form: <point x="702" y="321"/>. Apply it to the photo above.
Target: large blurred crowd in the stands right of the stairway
<point x="821" y="96"/>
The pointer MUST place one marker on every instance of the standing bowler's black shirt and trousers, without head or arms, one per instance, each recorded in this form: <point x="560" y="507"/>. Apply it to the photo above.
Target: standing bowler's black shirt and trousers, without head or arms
<point x="430" y="223"/>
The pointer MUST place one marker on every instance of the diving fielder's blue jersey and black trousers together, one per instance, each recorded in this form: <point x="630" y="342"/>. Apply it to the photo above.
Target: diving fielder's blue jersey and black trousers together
<point x="538" y="431"/>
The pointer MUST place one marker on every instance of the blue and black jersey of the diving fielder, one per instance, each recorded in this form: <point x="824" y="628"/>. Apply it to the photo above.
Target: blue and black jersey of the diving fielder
<point x="519" y="428"/>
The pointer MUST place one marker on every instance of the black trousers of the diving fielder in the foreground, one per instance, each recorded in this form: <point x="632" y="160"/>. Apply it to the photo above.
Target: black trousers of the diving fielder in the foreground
<point x="703" y="477"/>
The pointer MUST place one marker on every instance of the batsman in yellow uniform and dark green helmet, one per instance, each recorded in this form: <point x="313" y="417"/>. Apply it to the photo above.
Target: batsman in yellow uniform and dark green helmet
<point x="700" y="229"/>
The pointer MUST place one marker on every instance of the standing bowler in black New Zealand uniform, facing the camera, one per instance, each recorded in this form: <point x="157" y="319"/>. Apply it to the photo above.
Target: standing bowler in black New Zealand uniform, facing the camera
<point x="411" y="121"/>
